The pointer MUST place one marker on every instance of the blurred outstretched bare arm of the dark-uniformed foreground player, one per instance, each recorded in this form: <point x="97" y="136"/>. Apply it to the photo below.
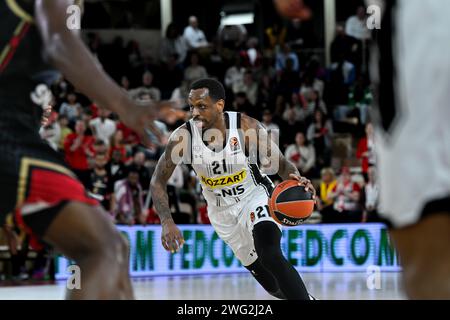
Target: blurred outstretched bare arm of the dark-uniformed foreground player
<point x="64" y="49"/>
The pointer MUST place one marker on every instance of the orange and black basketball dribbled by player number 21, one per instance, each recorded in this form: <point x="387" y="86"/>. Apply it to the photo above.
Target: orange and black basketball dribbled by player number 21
<point x="290" y="204"/>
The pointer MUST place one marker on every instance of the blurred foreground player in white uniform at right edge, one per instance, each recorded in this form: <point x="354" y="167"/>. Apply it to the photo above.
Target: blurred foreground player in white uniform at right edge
<point x="411" y="73"/>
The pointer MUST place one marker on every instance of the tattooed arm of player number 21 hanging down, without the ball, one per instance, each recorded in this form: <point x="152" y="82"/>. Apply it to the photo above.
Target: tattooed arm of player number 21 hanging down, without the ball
<point x="171" y="236"/>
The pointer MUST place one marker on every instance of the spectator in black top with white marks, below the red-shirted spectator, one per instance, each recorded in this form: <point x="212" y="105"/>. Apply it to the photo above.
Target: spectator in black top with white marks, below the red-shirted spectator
<point x="99" y="185"/>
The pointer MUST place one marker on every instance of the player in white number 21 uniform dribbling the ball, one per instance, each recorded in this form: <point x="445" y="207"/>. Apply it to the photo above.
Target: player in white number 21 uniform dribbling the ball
<point x="216" y="144"/>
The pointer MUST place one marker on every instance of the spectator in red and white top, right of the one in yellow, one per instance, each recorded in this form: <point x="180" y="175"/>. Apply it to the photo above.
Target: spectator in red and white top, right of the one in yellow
<point x="346" y="196"/>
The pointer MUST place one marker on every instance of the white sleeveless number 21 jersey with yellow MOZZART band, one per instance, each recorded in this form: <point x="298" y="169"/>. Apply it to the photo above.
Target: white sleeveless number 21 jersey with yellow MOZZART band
<point x="227" y="177"/>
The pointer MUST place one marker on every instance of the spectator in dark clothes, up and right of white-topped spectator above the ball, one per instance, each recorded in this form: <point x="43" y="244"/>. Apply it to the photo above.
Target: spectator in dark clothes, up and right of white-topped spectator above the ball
<point x="319" y="134"/>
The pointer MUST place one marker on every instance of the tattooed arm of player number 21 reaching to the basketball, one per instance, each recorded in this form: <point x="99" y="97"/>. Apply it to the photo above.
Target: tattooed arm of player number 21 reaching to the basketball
<point x="272" y="155"/>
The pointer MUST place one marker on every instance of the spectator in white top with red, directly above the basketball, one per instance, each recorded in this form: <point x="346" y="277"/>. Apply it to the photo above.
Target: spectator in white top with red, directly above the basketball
<point x="302" y="155"/>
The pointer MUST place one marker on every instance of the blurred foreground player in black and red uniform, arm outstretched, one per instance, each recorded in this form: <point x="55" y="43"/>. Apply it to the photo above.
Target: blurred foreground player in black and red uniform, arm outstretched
<point x="37" y="188"/>
